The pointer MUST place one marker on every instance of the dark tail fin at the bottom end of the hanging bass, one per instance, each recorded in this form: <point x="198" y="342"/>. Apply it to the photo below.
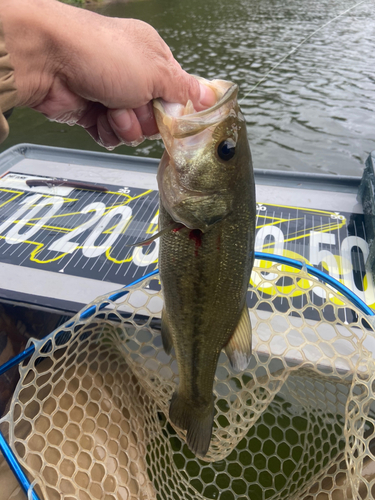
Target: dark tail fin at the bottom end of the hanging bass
<point x="197" y="423"/>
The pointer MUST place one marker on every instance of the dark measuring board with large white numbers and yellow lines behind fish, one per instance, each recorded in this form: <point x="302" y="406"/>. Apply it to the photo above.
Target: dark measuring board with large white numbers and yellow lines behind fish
<point x="61" y="247"/>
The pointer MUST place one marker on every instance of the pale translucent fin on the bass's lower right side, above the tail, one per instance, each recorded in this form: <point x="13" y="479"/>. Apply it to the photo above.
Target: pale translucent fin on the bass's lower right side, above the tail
<point x="238" y="348"/>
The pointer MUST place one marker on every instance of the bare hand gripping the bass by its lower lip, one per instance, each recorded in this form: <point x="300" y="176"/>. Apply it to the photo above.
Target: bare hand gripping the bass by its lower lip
<point x="102" y="73"/>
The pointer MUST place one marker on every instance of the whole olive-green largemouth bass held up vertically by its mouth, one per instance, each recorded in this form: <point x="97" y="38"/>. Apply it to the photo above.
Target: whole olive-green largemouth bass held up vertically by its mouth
<point x="207" y="223"/>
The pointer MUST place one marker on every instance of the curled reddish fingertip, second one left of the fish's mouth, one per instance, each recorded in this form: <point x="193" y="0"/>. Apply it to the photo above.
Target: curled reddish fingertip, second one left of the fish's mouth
<point x="125" y="124"/>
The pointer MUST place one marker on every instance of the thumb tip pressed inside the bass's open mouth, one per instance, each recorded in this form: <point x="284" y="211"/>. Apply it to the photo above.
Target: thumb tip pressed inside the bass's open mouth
<point x="184" y="87"/>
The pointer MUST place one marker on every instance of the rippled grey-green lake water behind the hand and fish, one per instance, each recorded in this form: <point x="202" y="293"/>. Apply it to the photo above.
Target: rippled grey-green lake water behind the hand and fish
<point x="314" y="113"/>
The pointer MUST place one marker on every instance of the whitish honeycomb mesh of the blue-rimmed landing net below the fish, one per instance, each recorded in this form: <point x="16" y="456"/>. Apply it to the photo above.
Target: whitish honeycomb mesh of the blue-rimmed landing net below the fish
<point x="89" y="417"/>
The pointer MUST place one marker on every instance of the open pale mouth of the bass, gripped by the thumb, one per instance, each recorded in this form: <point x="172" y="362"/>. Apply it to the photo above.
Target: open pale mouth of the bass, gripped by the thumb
<point x="182" y="121"/>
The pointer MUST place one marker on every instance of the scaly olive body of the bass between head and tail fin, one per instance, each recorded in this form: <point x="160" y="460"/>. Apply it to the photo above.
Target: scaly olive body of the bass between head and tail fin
<point x="212" y="282"/>
